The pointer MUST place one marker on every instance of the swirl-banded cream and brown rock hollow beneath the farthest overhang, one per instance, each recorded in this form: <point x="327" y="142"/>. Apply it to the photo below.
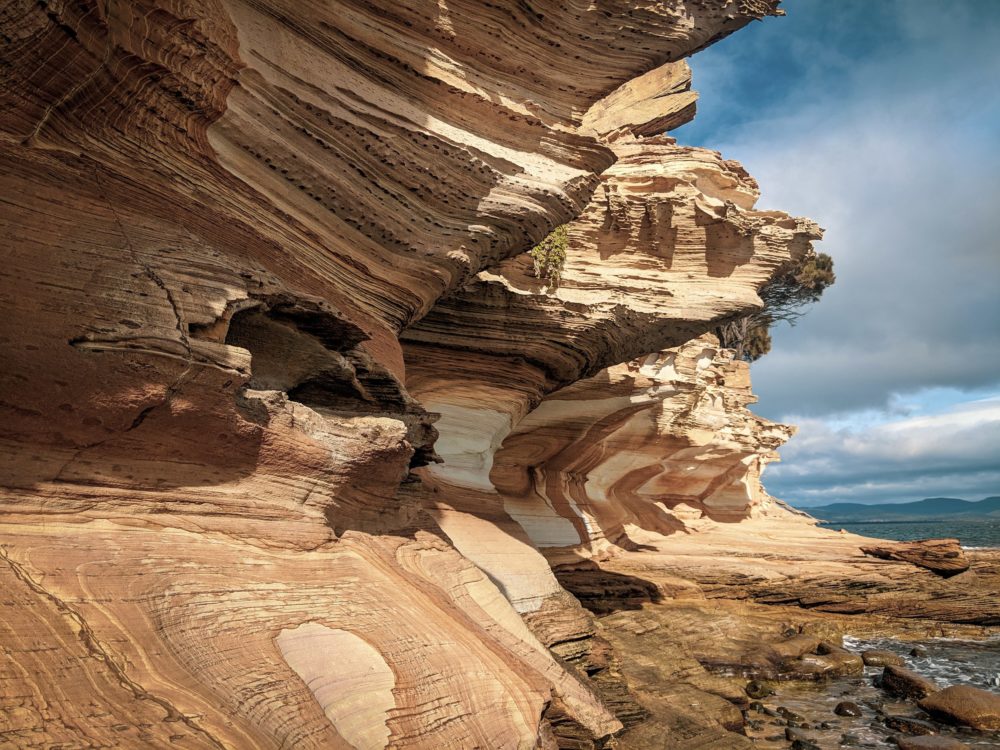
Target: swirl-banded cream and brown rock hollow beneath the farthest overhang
<point x="656" y="445"/>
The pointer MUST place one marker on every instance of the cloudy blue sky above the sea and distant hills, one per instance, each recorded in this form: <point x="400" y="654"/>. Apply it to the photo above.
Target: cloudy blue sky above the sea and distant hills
<point x="881" y="121"/>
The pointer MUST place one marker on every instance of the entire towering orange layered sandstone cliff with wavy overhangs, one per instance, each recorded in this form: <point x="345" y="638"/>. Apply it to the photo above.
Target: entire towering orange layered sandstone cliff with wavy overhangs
<point x="269" y="320"/>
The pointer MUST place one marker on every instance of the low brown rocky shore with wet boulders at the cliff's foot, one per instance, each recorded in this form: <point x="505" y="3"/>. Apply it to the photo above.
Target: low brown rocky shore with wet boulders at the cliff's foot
<point x="727" y="672"/>
